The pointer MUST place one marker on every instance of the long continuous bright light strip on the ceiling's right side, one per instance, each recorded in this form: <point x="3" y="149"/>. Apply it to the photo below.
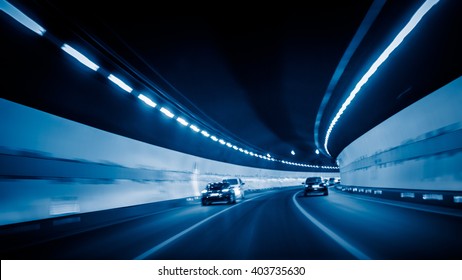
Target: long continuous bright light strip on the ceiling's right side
<point x="394" y="44"/>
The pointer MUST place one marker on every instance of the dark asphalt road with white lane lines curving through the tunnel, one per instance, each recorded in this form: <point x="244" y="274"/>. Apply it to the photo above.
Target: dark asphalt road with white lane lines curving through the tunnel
<point x="274" y="225"/>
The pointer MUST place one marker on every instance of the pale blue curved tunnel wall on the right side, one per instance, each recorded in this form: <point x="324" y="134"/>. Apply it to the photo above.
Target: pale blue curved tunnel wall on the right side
<point x="419" y="148"/>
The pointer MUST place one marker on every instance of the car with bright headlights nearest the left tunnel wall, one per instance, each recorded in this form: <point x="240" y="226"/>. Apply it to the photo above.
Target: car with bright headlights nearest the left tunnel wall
<point x="221" y="192"/>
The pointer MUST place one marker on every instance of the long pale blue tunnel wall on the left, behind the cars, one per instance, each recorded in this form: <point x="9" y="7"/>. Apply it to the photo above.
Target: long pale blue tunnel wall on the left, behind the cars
<point x="51" y="166"/>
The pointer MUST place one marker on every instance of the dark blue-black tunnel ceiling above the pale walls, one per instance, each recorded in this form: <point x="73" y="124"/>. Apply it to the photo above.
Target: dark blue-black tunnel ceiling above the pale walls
<point x="257" y="73"/>
